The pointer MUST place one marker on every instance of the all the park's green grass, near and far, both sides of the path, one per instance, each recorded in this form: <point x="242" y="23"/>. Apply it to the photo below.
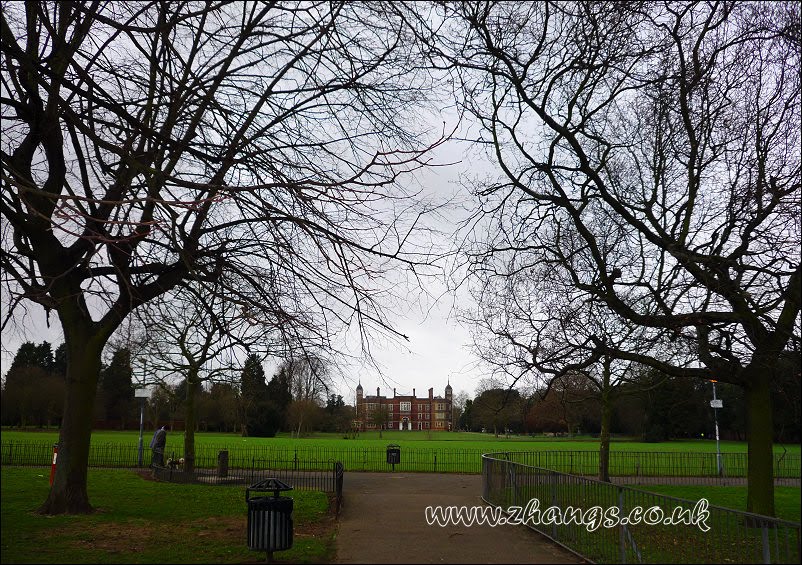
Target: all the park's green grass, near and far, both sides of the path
<point x="138" y="519"/>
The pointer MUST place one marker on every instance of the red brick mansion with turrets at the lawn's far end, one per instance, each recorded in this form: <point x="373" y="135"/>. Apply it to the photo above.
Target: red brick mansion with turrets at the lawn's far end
<point x="403" y="412"/>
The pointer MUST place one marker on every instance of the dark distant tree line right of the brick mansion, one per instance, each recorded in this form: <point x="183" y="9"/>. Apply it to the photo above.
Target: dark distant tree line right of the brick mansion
<point x="652" y="407"/>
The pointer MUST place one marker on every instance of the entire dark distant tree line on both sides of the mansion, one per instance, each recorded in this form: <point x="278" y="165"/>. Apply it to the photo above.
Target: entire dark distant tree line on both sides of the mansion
<point x="295" y="399"/>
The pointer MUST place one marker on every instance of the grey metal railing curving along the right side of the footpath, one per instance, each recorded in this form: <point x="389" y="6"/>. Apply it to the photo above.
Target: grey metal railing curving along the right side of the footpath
<point x="581" y="503"/>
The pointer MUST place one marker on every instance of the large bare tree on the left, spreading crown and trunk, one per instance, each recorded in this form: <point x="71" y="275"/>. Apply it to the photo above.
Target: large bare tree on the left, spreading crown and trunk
<point x="145" y="144"/>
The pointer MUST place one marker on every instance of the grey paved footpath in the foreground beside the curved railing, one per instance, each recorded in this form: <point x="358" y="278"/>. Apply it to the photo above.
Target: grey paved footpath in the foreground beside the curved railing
<point x="382" y="521"/>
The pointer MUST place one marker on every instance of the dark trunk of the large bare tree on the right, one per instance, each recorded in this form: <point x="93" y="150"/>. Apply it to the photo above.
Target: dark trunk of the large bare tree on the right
<point x="760" y="490"/>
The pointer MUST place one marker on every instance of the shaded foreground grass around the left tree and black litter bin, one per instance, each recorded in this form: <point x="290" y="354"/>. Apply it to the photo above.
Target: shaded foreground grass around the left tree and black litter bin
<point x="143" y="521"/>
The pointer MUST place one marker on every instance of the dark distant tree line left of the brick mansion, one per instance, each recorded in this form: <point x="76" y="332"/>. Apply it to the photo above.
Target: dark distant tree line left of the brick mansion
<point x="33" y="396"/>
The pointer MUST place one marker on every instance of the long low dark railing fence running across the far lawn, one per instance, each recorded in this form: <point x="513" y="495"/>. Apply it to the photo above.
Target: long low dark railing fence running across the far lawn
<point x="629" y="464"/>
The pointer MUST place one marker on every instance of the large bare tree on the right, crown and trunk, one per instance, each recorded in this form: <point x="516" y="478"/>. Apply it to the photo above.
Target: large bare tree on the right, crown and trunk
<point x="650" y="153"/>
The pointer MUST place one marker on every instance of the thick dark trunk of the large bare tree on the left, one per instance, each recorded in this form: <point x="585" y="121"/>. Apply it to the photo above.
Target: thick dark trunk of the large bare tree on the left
<point x="69" y="491"/>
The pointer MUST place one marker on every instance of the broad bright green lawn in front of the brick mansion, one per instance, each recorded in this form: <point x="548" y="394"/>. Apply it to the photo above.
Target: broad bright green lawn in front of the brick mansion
<point x="420" y="452"/>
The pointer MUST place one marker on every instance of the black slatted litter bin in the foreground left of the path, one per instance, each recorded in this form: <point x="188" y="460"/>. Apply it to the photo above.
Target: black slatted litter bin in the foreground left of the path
<point x="269" y="517"/>
